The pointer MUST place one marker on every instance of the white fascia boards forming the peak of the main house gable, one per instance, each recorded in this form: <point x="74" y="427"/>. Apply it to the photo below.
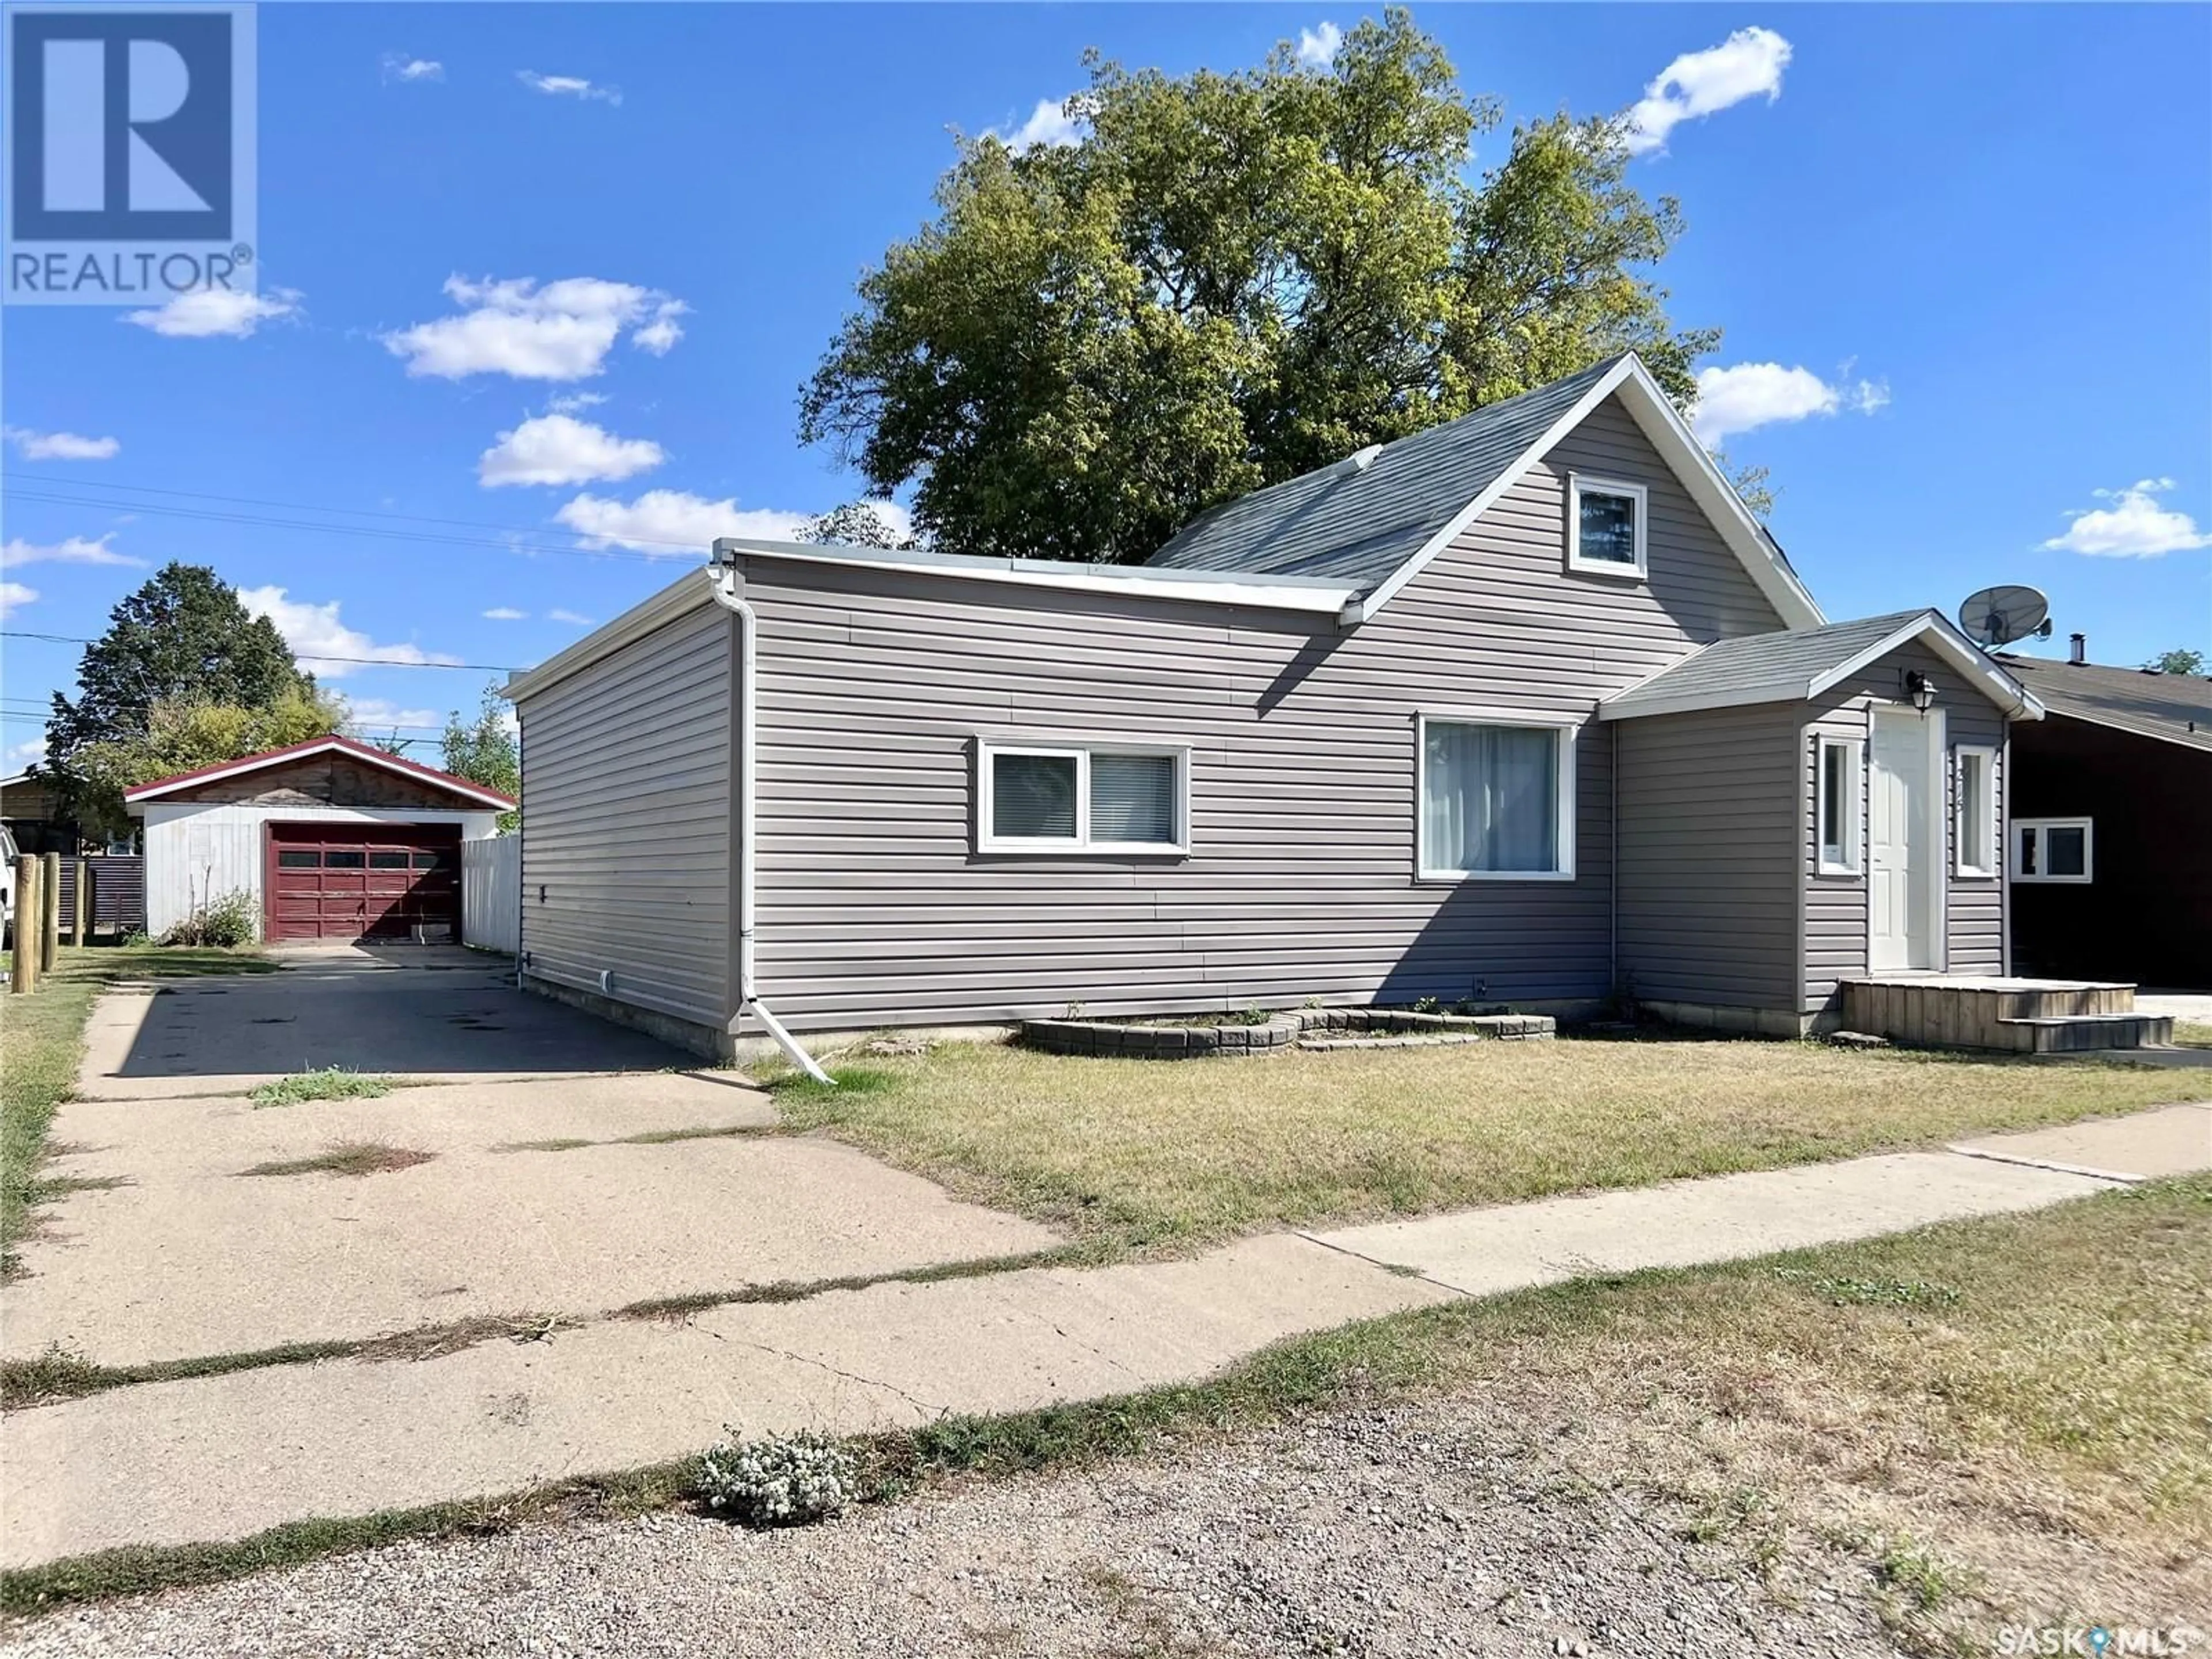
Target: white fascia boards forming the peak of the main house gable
<point x="1689" y="461"/>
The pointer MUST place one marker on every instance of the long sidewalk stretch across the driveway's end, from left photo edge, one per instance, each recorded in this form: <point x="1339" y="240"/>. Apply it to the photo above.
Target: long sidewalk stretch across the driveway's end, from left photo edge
<point x="218" y="1459"/>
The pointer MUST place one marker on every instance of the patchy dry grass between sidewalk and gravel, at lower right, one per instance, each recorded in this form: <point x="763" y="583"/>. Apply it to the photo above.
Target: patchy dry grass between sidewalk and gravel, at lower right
<point x="2001" y="1421"/>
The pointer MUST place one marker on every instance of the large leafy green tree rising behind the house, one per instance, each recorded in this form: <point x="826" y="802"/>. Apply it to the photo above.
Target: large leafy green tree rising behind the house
<point x="1227" y="282"/>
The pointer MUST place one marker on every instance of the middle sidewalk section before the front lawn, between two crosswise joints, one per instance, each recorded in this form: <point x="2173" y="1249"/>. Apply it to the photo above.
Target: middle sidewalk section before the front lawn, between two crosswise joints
<point x="1713" y="1220"/>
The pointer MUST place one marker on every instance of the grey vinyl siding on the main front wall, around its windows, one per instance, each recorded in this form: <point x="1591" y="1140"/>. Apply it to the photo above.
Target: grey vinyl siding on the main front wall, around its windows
<point x="1302" y="879"/>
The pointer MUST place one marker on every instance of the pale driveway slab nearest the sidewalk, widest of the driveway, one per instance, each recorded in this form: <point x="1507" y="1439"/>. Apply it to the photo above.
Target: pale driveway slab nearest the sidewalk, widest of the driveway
<point x="220" y="1264"/>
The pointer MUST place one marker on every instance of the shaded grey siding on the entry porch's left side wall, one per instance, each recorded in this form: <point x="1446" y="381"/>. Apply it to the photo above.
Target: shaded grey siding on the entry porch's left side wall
<point x="1707" y="875"/>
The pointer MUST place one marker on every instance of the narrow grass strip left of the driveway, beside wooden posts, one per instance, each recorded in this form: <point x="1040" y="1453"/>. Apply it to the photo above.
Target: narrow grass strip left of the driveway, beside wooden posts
<point x="41" y="1045"/>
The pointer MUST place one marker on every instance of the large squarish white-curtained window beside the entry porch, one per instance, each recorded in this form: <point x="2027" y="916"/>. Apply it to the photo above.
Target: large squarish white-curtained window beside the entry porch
<point x="1492" y="797"/>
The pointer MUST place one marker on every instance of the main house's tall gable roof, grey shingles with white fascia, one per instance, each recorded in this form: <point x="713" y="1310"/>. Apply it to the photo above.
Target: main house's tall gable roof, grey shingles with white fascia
<point x="1381" y="523"/>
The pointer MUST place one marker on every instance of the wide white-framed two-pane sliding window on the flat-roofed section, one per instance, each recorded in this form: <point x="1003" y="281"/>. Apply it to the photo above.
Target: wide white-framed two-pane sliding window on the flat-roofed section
<point x="1083" y="797"/>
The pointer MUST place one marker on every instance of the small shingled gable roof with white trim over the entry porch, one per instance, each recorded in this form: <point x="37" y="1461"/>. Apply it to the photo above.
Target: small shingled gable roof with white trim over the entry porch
<point x="1799" y="665"/>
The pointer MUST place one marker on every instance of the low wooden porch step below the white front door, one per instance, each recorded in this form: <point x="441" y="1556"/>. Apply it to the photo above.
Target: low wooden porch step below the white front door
<point x="2014" y="1016"/>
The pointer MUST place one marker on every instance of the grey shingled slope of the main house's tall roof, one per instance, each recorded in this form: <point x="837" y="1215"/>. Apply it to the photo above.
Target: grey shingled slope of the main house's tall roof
<point x="1359" y="525"/>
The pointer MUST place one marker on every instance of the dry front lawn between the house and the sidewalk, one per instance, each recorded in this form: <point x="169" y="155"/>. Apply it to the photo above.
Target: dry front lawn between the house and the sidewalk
<point x="1185" y="1151"/>
